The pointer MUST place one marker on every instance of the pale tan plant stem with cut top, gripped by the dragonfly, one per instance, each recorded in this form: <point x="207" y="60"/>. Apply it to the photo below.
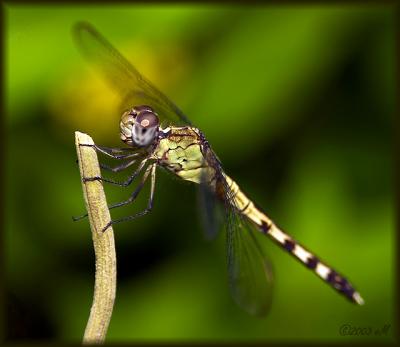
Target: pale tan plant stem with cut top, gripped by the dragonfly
<point x="104" y="247"/>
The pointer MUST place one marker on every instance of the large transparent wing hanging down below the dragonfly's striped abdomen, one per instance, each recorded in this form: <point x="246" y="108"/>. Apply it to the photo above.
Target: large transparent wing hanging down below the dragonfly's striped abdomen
<point x="249" y="271"/>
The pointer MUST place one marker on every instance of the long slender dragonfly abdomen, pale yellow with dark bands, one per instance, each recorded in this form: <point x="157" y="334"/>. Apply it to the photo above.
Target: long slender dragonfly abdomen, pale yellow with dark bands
<point x="267" y="226"/>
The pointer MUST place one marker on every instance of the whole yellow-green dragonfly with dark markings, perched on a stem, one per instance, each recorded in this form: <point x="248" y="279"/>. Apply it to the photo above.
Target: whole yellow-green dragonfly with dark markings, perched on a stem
<point x="157" y="134"/>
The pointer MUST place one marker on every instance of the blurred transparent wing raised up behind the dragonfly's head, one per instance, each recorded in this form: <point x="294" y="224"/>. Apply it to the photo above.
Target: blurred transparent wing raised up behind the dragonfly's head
<point x="132" y="87"/>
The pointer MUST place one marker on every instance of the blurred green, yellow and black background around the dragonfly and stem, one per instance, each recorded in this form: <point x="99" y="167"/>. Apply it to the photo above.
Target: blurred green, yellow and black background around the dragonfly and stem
<point x="297" y="101"/>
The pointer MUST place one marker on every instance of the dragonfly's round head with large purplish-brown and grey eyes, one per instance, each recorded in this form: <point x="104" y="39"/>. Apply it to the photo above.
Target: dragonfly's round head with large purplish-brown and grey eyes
<point x="139" y="126"/>
